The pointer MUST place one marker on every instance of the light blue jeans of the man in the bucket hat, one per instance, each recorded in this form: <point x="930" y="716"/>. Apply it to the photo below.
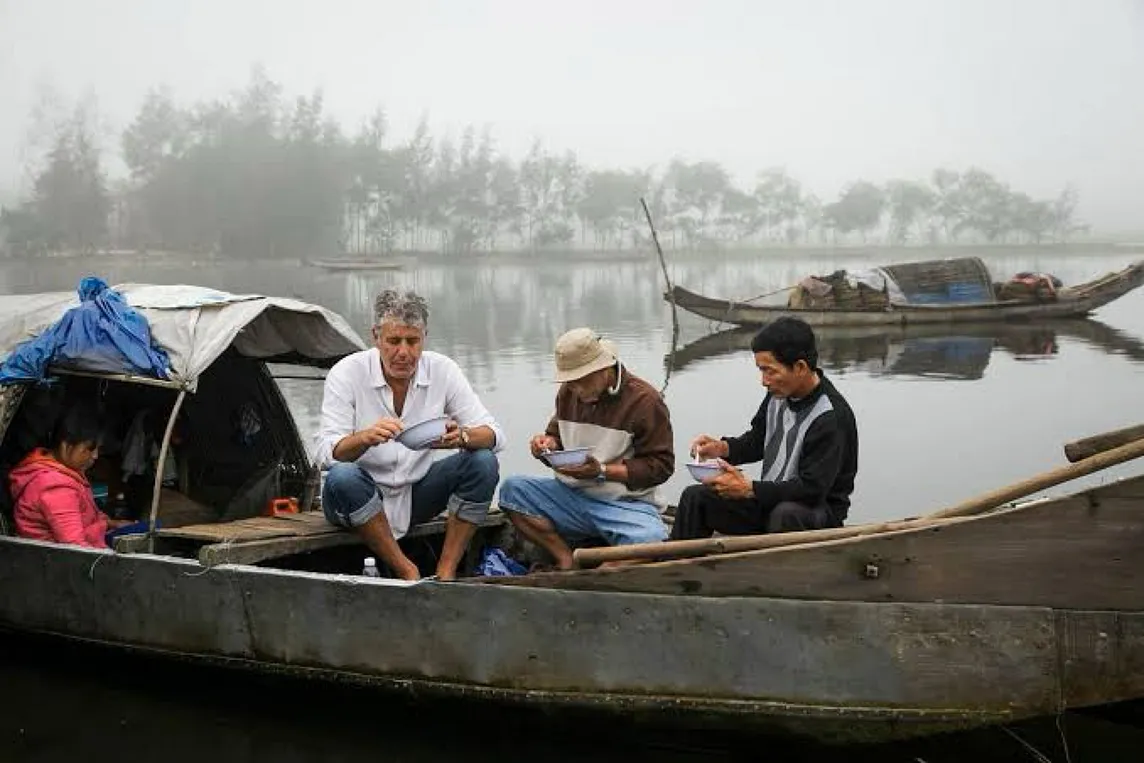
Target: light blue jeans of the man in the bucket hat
<point x="578" y="516"/>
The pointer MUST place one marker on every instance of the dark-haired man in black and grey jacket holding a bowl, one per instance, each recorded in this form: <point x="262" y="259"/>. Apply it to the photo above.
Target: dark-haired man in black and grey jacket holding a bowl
<point x="806" y="436"/>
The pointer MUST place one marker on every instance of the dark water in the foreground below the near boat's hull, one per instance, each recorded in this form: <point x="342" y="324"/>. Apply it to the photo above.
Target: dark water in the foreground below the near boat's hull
<point x="77" y="700"/>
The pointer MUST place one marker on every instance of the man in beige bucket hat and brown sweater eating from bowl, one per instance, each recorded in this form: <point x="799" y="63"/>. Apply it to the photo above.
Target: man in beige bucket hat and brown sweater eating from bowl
<point x="613" y="496"/>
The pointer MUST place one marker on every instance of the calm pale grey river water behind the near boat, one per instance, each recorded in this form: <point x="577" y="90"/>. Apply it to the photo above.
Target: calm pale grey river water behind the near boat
<point x="499" y="317"/>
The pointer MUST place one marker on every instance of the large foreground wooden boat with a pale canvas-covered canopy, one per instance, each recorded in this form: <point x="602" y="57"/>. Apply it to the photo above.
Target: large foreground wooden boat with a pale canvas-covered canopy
<point x="917" y="630"/>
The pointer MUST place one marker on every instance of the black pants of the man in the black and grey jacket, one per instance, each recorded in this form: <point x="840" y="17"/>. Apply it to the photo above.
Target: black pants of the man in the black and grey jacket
<point x="702" y="513"/>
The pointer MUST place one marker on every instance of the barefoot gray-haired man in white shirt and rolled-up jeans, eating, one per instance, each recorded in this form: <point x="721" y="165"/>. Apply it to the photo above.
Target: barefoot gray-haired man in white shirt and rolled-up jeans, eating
<point x="379" y="487"/>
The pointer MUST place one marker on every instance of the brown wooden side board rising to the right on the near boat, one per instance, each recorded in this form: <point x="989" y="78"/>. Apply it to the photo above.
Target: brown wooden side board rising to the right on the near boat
<point x="1076" y="553"/>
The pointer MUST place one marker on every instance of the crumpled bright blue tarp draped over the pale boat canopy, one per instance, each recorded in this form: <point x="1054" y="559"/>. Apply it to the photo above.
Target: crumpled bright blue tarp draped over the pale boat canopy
<point x="102" y="333"/>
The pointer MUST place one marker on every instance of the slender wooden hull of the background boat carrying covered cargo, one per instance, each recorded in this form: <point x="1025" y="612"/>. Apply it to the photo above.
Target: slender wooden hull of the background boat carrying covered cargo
<point x="1070" y="303"/>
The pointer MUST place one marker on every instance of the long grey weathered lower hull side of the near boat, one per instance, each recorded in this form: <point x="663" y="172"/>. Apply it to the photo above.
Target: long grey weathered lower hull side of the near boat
<point x="838" y="671"/>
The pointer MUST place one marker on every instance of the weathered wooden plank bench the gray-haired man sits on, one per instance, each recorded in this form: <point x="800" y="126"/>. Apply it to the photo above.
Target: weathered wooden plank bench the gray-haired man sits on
<point x="248" y="542"/>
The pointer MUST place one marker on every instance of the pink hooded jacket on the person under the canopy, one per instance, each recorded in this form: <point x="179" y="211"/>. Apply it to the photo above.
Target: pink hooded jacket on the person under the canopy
<point x="54" y="503"/>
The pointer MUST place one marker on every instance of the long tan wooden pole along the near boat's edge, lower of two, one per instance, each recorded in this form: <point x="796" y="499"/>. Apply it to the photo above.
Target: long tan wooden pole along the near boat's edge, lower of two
<point x="591" y="558"/>
